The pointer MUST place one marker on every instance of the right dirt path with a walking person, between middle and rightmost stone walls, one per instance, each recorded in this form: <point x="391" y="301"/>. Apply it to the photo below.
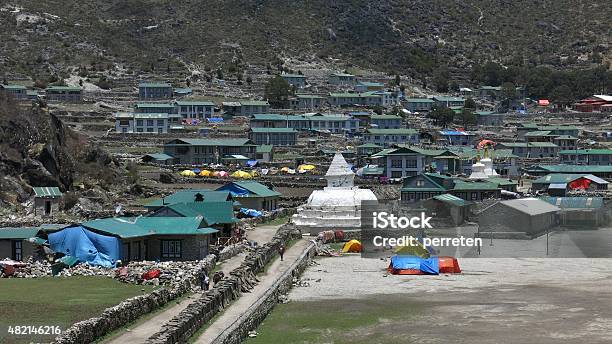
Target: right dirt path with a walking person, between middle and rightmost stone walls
<point x="236" y="309"/>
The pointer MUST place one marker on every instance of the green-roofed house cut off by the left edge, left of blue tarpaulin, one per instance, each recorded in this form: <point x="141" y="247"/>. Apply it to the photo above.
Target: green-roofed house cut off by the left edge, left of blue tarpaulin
<point x="14" y="243"/>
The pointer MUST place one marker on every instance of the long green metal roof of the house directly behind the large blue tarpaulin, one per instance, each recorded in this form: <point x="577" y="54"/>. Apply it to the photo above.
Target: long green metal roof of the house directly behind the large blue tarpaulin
<point x="134" y="227"/>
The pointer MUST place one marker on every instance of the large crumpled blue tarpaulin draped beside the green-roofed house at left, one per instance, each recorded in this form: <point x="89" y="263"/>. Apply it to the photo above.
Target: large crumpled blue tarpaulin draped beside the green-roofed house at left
<point x="87" y="246"/>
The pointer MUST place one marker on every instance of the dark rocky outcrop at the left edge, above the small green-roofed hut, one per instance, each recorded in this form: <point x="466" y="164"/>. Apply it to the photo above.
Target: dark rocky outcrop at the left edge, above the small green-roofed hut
<point x="36" y="149"/>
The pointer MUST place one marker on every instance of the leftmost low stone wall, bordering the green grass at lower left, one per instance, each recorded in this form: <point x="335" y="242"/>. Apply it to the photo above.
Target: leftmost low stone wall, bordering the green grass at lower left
<point x="131" y="309"/>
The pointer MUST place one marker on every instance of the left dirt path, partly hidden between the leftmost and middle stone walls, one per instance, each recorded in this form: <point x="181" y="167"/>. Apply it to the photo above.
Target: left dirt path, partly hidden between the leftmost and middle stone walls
<point x="142" y="331"/>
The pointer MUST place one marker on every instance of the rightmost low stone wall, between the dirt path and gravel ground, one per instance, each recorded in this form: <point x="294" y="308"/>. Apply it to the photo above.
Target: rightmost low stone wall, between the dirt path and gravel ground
<point x="253" y="317"/>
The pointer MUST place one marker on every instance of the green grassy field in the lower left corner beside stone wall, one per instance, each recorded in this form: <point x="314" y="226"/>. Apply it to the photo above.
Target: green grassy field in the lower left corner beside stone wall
<point x="57" y="302"/>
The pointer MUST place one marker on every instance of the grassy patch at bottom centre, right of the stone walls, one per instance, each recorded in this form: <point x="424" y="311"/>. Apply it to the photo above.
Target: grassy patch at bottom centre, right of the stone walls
<point x="338" y="321"/>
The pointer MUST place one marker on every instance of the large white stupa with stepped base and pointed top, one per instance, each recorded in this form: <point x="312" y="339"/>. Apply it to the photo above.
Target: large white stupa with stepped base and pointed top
<point x="338" y="205"/>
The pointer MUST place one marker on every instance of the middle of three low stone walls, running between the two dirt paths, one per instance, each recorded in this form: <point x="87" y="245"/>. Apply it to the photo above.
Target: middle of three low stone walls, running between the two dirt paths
<point x="242" y="279"/>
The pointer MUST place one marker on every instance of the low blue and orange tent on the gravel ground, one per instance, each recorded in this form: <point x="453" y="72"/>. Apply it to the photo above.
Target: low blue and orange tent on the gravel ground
<point x="413" y="265"/>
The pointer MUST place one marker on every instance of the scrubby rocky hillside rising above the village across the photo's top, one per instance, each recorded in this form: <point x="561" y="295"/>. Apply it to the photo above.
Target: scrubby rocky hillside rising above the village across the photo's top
<point x="408" y="36"/>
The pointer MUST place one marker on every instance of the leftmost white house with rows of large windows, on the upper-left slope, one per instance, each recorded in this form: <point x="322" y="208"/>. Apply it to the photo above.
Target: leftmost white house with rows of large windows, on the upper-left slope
<point x="152" y="123"/>
